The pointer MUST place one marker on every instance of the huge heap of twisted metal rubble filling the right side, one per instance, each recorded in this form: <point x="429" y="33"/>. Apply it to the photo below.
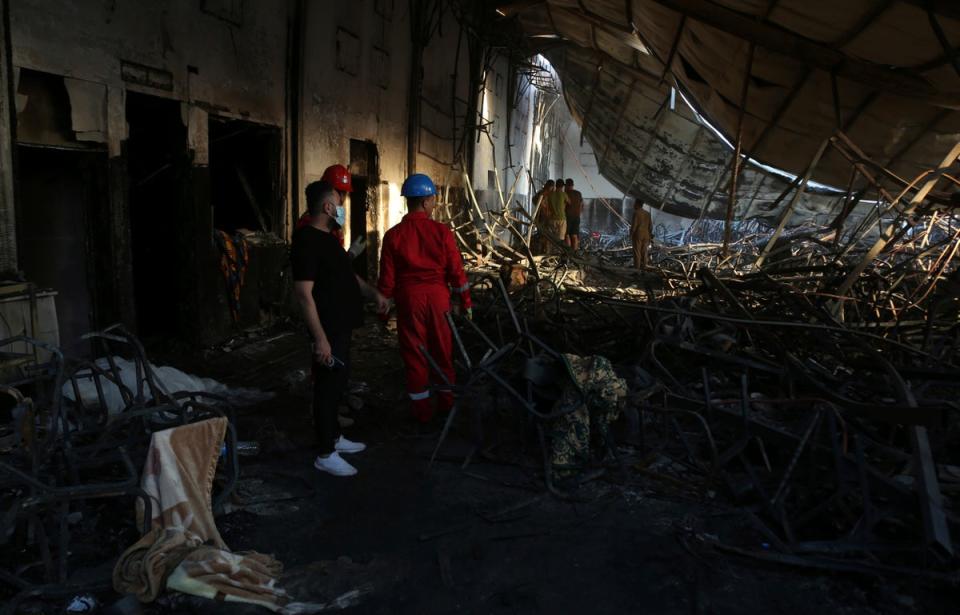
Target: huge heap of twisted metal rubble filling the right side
<point x="810" y="379"/>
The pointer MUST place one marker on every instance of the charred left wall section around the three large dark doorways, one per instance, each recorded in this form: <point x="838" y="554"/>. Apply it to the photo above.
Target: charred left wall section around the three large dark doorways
<point x="209" y="58"/>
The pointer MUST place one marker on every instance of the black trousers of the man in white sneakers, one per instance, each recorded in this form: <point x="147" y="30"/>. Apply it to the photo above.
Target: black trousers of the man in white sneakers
<point x="329" y="387"/>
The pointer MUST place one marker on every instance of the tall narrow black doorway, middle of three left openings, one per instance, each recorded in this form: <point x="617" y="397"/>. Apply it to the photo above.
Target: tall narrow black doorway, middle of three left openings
<point x="156" y="163"/>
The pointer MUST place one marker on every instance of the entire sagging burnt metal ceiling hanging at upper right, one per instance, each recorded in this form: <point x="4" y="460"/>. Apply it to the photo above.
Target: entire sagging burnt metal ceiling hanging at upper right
<point x="884" y="72"/>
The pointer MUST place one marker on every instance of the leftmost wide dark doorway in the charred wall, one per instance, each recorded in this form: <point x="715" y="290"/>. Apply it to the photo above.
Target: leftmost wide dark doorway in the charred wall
<point x="63" y="191"/>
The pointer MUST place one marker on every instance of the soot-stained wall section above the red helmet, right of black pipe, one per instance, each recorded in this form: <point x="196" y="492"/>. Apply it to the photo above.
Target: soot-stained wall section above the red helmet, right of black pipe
<point x="357" y="59"/>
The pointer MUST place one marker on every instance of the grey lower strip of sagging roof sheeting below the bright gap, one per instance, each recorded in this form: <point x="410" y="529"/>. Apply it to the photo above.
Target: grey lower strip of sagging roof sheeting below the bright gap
<point x="665" y="157"/>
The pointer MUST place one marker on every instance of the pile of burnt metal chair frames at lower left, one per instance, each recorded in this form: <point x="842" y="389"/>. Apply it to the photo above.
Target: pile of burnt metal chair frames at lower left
<point x="74" y="431"/>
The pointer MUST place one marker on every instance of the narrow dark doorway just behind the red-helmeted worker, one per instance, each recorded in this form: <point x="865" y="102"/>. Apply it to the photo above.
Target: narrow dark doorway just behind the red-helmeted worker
<point x="364" y="202"/>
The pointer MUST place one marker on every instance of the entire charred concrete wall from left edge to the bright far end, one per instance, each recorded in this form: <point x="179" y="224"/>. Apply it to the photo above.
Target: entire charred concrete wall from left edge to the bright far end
<point x="157" y="94"/>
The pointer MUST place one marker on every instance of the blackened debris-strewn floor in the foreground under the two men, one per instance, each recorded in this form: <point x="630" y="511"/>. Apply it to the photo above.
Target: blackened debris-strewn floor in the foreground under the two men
<point x="486" y="539"/>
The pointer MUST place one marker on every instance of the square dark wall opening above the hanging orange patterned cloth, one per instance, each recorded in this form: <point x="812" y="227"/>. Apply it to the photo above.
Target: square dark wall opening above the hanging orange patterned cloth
<point x="245" y="175"/>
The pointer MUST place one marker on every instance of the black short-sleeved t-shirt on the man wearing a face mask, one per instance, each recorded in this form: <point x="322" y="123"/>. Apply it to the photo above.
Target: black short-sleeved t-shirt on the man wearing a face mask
<point x="318" y="256"/>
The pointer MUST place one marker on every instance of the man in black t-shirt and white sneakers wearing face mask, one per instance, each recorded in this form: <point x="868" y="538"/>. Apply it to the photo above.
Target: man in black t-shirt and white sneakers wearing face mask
<point x="331" y="300"/>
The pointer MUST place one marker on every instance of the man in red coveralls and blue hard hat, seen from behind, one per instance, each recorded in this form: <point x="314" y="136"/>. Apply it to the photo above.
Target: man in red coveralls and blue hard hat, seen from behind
<point x="419" y="265"/>
